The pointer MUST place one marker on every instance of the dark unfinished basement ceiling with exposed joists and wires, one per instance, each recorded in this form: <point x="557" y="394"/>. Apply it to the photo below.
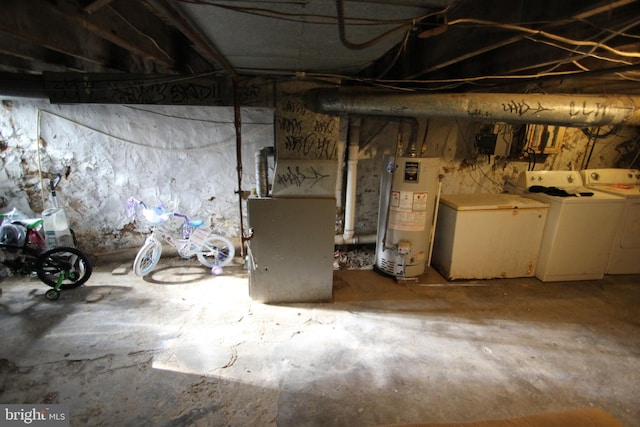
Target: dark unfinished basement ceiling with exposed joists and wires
<point x="585" y="46"/>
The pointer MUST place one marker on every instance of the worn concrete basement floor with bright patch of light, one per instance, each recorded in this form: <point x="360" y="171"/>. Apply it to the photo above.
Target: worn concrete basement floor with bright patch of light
<point x="182" y="348"/>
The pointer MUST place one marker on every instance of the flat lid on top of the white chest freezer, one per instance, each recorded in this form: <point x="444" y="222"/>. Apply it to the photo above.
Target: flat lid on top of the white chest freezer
<point x="468" y="202"/>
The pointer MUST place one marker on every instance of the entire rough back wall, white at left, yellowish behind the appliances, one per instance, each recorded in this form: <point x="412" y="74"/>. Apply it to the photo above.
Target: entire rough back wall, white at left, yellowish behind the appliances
<point x="187" y="155"/>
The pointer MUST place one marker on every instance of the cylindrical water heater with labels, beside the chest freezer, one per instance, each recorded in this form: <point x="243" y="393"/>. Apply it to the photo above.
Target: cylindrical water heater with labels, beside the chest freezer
<point x="408" y="199"/>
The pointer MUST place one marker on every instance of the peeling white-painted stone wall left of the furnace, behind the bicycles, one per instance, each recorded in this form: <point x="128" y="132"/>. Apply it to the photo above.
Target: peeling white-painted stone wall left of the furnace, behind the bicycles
<point x="178" y="155"/>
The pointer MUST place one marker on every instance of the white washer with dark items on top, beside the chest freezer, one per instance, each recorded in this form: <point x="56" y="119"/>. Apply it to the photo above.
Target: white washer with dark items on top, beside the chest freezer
<point x="580" y="229"/>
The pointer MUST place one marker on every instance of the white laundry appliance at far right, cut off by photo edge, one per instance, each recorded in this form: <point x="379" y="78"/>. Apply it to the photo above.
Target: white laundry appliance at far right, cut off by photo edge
<point x="625" y="254"/>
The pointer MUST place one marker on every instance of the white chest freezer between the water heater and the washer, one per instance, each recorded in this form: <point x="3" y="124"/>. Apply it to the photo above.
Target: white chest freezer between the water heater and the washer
<point x="484" y="236"/>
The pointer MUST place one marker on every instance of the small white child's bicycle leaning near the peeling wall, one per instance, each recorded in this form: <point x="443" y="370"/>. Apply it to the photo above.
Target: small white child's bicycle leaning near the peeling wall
<point x="192" y="239"/>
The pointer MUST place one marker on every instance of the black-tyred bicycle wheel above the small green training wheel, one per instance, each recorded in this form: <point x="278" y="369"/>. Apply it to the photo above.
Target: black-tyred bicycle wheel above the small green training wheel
<point x="69" y="266"/>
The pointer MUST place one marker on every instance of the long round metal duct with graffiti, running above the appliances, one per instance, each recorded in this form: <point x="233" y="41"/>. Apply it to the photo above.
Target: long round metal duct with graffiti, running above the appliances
<point x="563" y="110"/>
